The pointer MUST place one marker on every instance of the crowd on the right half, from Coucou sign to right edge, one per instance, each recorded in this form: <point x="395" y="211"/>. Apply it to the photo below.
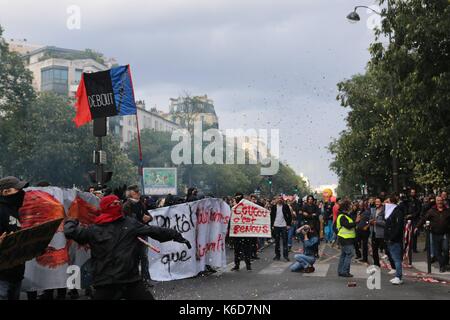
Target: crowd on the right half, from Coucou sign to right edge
<point x="372" y="230"/>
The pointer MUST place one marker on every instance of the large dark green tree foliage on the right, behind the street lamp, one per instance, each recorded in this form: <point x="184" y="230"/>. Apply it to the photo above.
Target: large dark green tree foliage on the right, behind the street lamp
<point x="401" y="104"/>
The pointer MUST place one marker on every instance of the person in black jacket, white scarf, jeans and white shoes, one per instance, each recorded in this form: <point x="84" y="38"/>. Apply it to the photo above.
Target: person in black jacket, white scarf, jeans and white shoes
<point x="393" y="235"/>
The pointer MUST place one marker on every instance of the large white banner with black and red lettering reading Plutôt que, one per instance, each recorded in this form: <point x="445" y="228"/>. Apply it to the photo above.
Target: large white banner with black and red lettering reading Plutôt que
<point x="204" y="223"/>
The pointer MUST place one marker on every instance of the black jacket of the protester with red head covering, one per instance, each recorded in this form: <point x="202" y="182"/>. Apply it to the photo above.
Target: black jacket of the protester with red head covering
<point x="115" y="247"/>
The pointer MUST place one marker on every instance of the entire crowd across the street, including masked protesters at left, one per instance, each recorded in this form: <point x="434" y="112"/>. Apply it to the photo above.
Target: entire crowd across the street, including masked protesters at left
<point x="378" y="228"/>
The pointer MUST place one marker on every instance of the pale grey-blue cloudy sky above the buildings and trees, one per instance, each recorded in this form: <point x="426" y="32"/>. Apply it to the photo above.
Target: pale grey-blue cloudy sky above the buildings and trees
<point x="266" y="64"/>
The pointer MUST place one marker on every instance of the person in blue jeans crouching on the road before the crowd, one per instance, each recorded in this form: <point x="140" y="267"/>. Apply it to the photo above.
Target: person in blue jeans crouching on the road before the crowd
<point x="305" y="261"/>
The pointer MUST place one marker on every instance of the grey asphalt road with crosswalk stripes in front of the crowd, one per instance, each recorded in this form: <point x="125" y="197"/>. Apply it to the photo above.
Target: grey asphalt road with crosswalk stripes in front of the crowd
<point x="272" y="280"/>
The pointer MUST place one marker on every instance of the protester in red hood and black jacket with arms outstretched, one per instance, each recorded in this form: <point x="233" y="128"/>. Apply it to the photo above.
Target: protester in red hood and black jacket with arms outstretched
<point x="113" y="240"/>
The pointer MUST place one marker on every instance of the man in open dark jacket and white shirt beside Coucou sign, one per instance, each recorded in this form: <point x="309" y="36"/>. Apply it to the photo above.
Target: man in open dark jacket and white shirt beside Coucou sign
<point x="281" y="220"/>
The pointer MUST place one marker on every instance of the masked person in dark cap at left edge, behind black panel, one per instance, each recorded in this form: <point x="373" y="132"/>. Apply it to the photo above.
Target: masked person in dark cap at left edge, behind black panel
<point x="11" y="199"/>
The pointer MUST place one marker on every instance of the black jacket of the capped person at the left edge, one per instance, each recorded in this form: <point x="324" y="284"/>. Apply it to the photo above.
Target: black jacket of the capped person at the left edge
<point x="9" y="222"/>
